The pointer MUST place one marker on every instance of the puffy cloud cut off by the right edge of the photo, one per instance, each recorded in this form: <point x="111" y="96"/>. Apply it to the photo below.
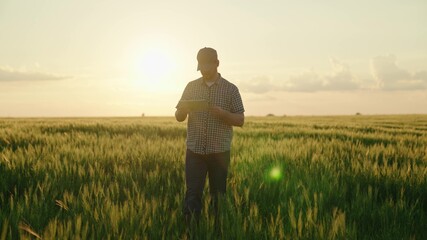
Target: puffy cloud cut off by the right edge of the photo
<point x="389" y="76"/>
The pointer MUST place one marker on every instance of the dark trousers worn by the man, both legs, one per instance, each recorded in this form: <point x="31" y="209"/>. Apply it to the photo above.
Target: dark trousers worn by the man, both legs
<point x="196" y="168"/>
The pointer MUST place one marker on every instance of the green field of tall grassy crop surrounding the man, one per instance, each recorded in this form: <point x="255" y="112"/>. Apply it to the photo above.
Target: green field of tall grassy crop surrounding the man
<point x="336" y="177"/>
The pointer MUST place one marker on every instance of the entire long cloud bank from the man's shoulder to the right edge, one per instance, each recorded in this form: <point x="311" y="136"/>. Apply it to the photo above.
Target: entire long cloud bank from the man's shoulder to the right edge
<point x="386" y="75"/>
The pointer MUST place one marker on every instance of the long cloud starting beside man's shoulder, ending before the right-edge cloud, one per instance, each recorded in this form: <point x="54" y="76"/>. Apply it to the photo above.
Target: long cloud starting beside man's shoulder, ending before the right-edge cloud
<point x="340" y="78"/>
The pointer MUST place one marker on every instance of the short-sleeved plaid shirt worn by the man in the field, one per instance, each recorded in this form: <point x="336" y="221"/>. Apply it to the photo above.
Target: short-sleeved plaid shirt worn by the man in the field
<point x="206" y="133"/>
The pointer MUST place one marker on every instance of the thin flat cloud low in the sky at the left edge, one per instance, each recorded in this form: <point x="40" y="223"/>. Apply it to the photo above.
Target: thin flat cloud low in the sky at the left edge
<point x="8" y="74"/>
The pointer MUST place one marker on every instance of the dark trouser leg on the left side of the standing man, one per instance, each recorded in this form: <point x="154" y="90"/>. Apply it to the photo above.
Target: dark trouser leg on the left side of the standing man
<point x="195" y="176"/>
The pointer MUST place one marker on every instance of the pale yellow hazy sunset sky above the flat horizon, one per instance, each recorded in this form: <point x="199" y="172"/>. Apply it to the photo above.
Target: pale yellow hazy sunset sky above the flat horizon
<point x="127" y="58"/>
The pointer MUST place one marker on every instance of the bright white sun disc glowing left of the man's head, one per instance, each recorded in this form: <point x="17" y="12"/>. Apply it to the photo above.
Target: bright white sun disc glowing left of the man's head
<point x="154" y="69"/>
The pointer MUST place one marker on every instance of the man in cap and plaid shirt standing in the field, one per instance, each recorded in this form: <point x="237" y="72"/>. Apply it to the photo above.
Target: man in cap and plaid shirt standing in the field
<point x="209" y="131"/>
